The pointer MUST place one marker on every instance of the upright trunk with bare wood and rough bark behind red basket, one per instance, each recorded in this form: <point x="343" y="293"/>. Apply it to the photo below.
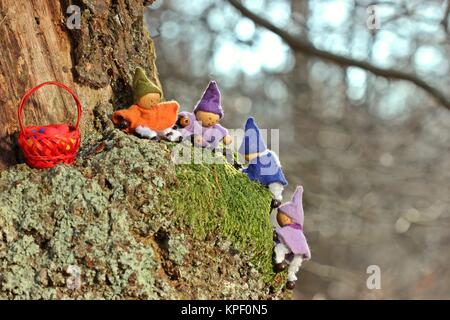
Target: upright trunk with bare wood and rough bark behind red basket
<point x="96" y="60"/>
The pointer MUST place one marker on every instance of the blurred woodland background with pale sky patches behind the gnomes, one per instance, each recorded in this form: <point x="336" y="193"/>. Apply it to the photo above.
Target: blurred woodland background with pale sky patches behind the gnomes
<point x="371" y="151"/>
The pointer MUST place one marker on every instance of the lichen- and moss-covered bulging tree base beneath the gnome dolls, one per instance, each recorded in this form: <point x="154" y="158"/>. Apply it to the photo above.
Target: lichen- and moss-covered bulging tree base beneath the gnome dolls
<point x="135" y="225"/>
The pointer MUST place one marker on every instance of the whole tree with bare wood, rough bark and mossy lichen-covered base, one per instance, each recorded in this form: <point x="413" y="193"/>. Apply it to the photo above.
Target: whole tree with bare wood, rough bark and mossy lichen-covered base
<point x="88" y="231"/>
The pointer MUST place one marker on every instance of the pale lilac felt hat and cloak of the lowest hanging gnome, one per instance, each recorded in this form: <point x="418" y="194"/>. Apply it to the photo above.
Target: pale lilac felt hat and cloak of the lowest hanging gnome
<point x="292" y="235"/>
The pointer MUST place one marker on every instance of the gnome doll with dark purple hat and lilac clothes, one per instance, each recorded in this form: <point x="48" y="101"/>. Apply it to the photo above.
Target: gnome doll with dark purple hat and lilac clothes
<point x="202" y="125"/>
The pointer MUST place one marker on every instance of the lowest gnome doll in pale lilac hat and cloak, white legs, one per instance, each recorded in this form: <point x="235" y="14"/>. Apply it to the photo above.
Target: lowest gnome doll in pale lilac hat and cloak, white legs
<point x="290" y="242"/>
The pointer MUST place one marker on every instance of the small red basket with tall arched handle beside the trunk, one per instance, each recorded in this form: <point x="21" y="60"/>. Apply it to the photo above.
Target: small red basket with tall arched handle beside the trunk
<point x="46" y="146"/>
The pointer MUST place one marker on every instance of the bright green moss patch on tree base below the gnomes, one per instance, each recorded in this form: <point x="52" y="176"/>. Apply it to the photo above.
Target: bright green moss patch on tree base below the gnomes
<point x="216" y="198"/>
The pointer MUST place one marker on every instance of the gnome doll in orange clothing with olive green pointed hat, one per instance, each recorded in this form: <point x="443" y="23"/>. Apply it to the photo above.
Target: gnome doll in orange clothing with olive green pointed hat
<point x="148" y="117"/>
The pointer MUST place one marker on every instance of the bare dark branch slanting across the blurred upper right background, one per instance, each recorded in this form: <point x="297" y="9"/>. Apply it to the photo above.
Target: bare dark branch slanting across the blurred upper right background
<point x="307" y="48"/>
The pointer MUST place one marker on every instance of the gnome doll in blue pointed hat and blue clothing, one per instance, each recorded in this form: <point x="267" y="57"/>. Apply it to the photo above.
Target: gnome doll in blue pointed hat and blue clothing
<point x="264" y="165"/>
